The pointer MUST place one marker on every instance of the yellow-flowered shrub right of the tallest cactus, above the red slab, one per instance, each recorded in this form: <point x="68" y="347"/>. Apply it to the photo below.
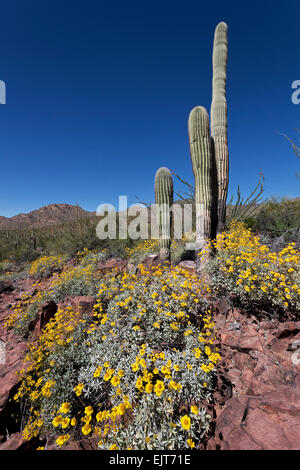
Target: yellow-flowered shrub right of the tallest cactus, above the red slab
<point x="246" y="270"/>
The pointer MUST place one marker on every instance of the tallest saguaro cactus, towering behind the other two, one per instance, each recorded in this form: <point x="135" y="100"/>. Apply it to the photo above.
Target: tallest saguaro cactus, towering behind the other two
<point x="218" y="115"/>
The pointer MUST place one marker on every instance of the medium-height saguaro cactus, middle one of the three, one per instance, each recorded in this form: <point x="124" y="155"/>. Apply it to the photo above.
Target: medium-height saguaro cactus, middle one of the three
<point x="202" y="161"/>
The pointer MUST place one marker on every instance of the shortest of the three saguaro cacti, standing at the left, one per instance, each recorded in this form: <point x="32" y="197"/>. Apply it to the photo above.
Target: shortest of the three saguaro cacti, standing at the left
<point x="164" y="200"/>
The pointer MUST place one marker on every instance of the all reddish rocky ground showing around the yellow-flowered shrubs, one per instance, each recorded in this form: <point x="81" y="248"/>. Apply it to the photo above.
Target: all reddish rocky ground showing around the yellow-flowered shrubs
<point x="256" y="405"/>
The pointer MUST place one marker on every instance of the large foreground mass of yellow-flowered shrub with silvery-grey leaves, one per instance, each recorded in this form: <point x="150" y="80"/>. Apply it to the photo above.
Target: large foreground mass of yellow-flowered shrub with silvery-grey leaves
<point x="136" y="375"/>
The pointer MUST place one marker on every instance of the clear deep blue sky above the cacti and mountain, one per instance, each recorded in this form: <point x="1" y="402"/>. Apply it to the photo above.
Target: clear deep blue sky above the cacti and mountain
<point x="99" y="93"/>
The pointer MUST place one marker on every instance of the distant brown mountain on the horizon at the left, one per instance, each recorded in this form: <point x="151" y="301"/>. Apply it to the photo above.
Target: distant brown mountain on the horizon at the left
<point x="52" y="214"/>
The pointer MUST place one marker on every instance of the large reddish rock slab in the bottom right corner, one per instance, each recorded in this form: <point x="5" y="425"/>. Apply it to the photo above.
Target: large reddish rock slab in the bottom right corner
<point x="260" y="362"/>
